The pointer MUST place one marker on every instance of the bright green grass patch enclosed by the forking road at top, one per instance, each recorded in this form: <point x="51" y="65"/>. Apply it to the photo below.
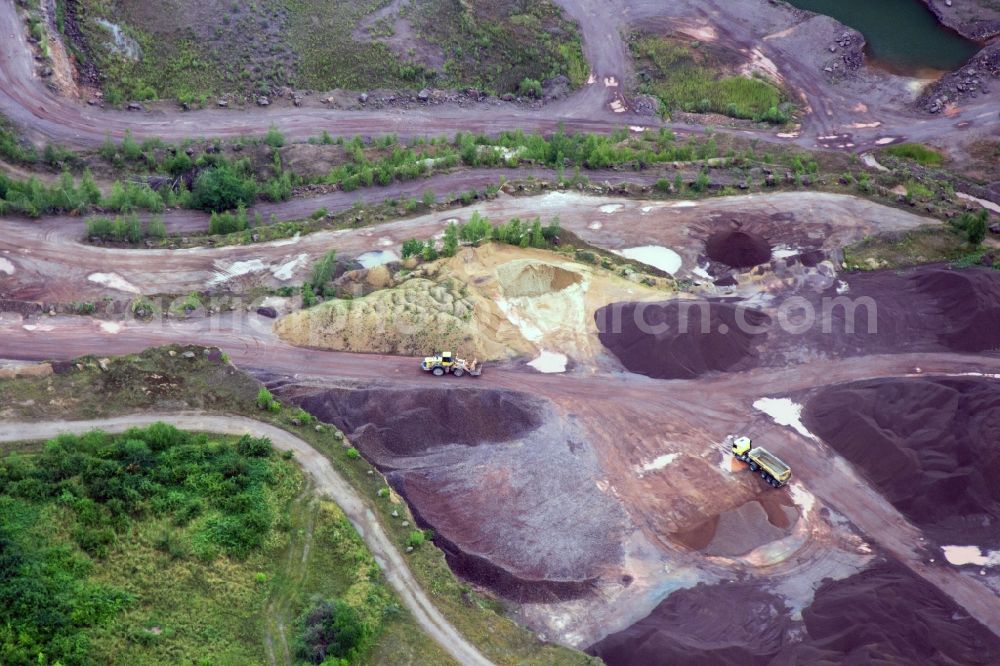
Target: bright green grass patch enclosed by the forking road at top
<point x="687" y="76"/>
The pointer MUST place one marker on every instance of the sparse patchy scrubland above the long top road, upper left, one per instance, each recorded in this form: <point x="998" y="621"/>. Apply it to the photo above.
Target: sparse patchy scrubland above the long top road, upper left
<point x="188" y="52"/>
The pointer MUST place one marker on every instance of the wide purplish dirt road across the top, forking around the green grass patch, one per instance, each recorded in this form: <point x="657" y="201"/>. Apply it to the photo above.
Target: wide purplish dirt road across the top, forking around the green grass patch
<point x="832" y="119"/>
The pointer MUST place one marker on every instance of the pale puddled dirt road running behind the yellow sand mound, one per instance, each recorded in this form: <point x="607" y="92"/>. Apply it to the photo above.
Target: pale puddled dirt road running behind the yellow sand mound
<point x="47" y="261"/>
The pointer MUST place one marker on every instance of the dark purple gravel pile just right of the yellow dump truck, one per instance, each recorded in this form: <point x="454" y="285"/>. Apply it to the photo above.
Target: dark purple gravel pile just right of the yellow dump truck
<point x="929" y="444"/>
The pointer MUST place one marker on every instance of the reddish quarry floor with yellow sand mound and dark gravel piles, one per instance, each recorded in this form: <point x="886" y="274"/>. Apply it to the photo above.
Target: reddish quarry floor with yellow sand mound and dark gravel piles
<point x="597" y="499"/>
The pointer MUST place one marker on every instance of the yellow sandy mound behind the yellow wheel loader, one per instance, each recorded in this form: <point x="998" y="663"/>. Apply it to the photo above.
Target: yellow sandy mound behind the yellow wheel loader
<point x="492" y="303"/>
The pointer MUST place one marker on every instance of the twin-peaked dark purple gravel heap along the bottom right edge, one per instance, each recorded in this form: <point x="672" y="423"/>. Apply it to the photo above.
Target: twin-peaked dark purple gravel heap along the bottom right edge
<point x="882" y="615"/>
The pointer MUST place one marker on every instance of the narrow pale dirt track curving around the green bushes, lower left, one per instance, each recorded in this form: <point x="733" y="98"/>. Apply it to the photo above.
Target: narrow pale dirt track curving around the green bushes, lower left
<point x="326" y="480"/>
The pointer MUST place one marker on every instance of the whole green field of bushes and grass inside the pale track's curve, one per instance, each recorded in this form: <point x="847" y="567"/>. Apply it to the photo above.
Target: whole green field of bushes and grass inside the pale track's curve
<point x="160" y="545"/>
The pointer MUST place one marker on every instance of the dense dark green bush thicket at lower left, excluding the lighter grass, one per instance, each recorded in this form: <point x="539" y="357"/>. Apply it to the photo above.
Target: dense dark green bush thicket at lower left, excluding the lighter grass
<point x="96" y="486"/>
